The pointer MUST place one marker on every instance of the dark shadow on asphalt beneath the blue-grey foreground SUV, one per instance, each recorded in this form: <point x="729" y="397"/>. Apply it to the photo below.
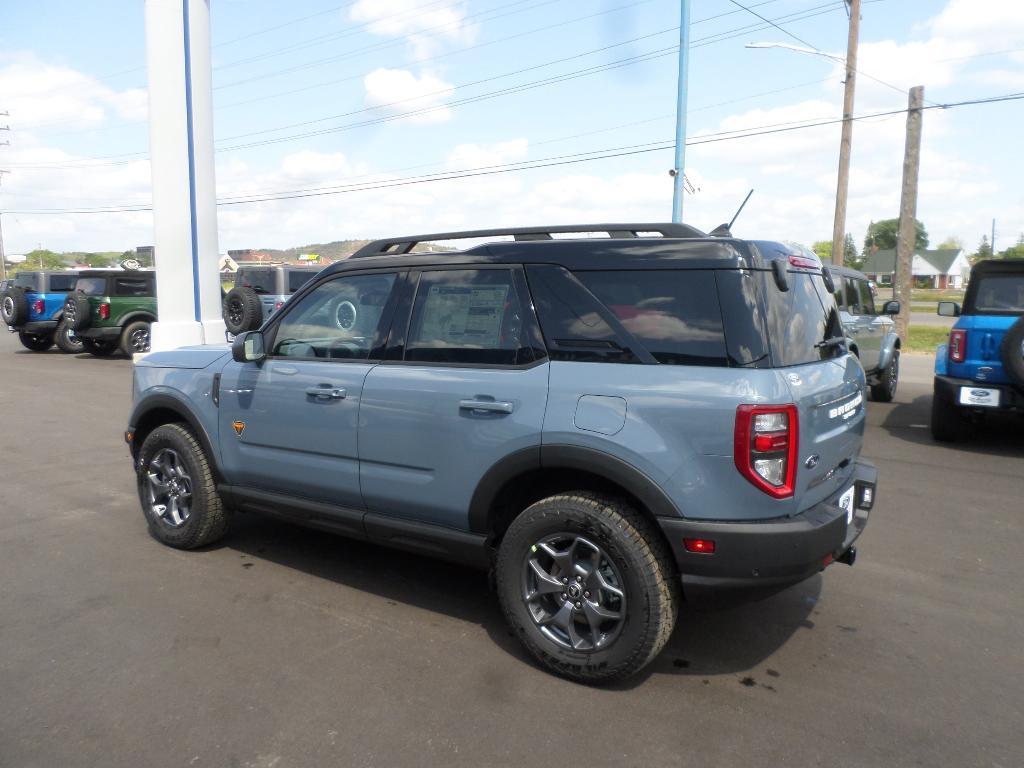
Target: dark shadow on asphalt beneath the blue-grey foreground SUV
<point x="712" y="638"/>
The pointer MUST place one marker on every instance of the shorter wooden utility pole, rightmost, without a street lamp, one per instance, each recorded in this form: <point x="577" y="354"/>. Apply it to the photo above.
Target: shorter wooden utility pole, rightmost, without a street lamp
<point x="908" y="237"/>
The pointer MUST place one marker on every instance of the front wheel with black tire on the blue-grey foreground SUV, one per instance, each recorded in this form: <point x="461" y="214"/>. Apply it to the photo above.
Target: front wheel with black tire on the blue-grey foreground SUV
<point x="207" y="520"/>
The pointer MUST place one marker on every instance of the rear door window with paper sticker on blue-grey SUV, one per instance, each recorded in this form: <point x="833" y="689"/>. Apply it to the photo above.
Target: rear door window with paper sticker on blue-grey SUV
<point x="467" y="317"/>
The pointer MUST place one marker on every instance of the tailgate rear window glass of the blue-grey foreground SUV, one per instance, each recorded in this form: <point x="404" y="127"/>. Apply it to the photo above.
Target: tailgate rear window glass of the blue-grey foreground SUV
<point x="801" y="320"/>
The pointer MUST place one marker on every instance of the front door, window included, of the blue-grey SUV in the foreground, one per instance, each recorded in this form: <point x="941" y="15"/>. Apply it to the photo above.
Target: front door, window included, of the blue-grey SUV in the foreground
<point x="289" y="423"/>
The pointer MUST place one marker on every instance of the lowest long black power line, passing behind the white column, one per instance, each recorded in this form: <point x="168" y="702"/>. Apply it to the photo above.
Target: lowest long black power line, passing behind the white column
<point x="606" y="154"/>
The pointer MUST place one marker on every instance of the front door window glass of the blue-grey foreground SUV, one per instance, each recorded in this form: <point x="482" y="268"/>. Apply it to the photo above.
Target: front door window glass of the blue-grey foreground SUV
<point x="338" y="320"/>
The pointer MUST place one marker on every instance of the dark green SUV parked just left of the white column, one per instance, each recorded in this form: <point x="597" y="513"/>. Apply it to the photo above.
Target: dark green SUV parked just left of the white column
<point x="112" y="310"/>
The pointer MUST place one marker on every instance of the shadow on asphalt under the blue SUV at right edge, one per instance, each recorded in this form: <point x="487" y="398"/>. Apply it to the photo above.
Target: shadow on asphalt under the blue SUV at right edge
<point x="996" y="437"/>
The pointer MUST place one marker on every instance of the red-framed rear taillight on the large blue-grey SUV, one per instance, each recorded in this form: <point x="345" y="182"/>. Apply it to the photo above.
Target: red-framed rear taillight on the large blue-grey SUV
<point x="765" y="448"/>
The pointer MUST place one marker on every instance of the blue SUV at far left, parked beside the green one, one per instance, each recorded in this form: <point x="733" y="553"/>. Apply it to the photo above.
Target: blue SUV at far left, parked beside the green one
<point x="33" y="307"/>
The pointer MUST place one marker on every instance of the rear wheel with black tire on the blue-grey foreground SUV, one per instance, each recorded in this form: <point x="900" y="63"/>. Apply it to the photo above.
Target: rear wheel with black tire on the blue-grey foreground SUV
<point x="634" y="554"/>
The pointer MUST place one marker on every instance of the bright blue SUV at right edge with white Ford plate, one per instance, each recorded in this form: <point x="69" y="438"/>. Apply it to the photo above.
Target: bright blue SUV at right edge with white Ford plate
<point x="982" y="371"/>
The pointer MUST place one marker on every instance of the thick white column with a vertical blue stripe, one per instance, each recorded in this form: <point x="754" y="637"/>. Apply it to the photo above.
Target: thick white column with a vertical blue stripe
<point x="185" y="209"/>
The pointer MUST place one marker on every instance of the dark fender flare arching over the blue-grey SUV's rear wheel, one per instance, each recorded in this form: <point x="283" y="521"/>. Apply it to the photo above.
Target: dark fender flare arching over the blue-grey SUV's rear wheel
<point x="566" y="457"/>
